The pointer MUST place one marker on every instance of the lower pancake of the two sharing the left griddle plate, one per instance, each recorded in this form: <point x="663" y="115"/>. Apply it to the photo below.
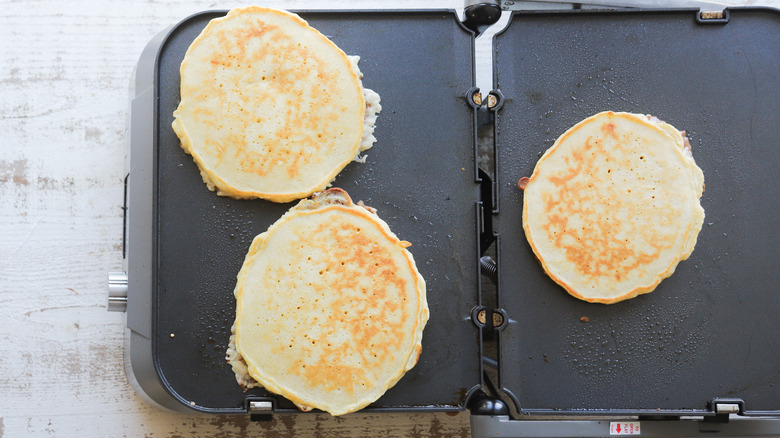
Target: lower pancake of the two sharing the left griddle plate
<point x="330" y="307"/>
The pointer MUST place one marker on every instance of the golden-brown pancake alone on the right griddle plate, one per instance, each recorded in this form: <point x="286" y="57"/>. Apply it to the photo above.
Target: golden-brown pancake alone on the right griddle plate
<point x="613" y="206"/>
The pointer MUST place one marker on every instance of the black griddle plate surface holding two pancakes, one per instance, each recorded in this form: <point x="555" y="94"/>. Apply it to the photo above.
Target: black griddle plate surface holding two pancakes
<point x="421" y="64"/>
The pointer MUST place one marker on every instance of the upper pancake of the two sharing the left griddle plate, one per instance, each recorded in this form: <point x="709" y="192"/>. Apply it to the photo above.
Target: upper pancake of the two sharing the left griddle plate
<point x="270" y="108"/>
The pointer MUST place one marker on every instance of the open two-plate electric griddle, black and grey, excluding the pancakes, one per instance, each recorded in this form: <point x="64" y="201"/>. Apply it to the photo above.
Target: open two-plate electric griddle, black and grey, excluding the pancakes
<point x="503" y="340"/>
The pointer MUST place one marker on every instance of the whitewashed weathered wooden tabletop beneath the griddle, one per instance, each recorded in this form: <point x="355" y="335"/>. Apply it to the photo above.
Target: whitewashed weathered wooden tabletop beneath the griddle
<point x="64" y="76"/>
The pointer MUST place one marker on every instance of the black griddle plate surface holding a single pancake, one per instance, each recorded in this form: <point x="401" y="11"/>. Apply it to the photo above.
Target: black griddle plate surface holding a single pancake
<point x="712" y="328"/>
